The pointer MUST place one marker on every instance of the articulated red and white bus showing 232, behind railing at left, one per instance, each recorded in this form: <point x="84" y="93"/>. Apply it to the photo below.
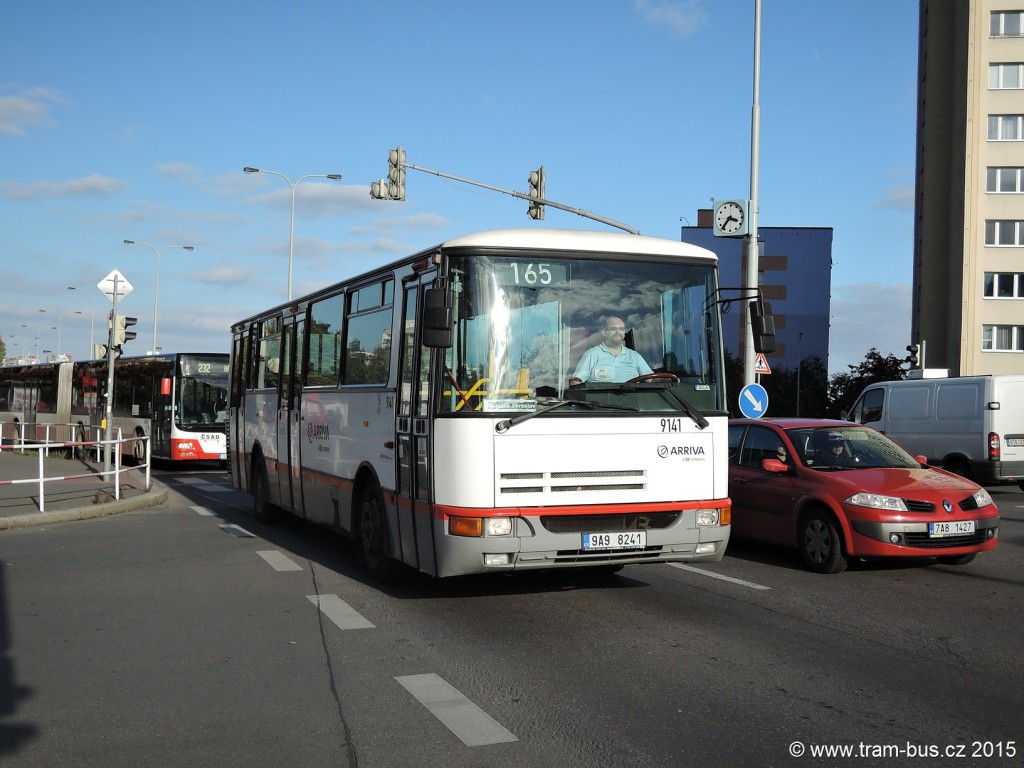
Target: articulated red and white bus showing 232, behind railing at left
<point x="179" y="401"/>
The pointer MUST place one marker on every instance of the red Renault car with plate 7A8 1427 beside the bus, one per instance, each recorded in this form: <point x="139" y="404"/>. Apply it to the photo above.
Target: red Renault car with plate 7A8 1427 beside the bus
<point x="838" y="491"/>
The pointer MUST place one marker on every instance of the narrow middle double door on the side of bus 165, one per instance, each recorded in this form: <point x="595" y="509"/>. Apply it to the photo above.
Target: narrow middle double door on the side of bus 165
<point x="289" y="416"/>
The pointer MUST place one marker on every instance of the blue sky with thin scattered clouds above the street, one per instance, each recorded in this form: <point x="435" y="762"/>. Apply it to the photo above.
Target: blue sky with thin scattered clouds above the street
<point x="133" y="121"/>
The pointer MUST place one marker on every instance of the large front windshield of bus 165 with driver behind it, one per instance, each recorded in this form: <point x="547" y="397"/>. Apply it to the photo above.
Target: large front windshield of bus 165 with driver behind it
<point x="533" y="331"/>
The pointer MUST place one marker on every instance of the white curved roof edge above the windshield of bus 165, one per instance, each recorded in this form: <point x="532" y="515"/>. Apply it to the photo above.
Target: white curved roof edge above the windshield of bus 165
<point x="579" y="240"/>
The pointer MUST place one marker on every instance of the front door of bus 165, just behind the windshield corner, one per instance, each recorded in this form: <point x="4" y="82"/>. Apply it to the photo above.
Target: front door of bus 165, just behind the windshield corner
<point x="413" y="436"/>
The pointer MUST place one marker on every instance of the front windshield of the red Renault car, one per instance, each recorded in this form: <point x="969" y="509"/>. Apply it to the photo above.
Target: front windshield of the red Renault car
<point x="848" y="448"/>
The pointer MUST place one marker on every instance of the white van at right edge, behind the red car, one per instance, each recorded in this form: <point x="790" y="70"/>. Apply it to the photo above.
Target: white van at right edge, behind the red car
<point x="972" y="425"/>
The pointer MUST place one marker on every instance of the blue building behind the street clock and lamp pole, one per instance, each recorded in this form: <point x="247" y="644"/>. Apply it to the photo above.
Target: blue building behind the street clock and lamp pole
<point x="795" y="277"/>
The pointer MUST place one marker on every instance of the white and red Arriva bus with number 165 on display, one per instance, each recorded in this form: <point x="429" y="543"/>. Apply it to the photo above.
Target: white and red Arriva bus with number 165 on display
<point x="426" y="409"/>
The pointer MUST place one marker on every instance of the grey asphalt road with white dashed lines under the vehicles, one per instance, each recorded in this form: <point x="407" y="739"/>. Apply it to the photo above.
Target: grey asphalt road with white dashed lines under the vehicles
<point x="191" y="635"/>
